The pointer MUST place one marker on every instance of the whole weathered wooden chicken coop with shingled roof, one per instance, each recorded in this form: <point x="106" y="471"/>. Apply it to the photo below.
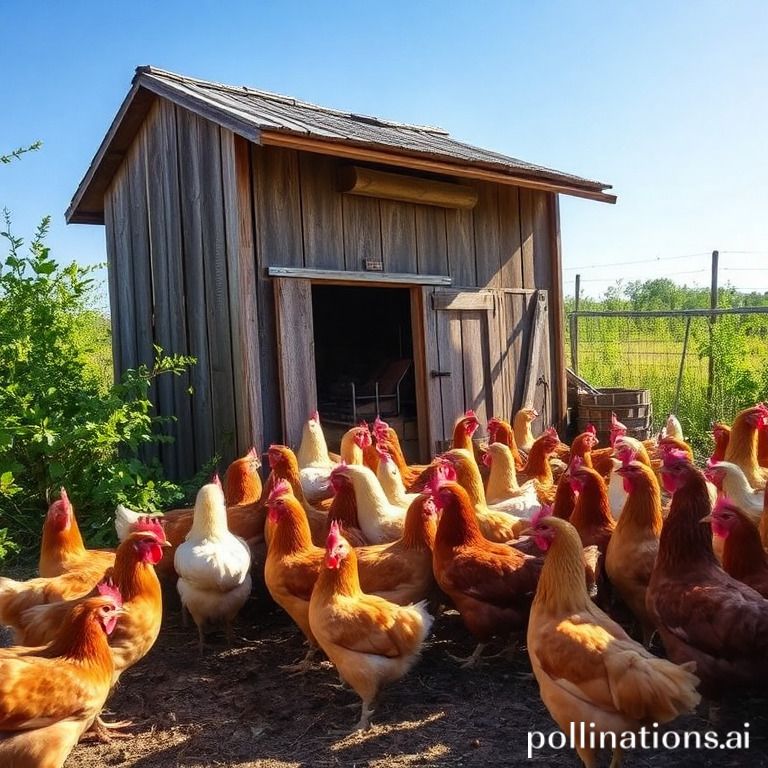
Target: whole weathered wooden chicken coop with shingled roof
<point x="300" y="252"/>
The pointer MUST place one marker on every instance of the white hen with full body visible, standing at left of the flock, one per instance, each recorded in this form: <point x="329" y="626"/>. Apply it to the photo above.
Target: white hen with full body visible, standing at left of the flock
<point x="213" y="565"/>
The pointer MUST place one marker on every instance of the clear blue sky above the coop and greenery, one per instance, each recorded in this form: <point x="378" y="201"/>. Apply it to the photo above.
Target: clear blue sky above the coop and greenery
<point x="666" y="101"/>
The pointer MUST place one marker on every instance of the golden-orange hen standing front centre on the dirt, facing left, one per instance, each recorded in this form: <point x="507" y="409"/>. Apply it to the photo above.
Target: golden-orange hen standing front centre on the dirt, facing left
<point x="370" y="641"/>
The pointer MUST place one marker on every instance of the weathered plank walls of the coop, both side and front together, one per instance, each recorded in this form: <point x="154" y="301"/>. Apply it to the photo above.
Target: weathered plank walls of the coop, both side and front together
<point x="195" y="216"/>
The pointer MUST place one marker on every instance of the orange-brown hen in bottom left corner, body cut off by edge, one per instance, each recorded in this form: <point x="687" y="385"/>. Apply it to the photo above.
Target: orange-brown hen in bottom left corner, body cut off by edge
<point x="50" y="696"/>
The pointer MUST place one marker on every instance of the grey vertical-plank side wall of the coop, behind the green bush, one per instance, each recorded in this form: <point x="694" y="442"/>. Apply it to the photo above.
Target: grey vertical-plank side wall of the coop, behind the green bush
<point x="182" y="276"/>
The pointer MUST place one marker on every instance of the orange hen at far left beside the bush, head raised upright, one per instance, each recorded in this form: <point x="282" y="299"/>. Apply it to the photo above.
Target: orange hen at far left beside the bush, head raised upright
<point x="62" y="548"/>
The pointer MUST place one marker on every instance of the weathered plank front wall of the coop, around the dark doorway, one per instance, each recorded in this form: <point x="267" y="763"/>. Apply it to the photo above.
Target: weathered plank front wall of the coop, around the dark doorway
<point x="504" y="244"/>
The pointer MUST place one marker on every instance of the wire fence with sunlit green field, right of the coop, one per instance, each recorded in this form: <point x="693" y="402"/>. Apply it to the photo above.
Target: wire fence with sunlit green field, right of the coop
<point x="703" y="365"/>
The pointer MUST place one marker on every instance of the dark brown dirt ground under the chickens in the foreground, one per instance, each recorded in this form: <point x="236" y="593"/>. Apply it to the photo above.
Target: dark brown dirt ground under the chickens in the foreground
<point x="236" y="707"/>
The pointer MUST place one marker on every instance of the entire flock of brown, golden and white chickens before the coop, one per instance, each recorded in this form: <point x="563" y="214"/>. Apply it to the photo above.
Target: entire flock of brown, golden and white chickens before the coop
<point x="361" y="550"/>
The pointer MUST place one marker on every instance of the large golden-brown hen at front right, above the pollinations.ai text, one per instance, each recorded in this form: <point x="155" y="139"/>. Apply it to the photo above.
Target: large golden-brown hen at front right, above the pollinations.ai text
<point x="588" y="669"/>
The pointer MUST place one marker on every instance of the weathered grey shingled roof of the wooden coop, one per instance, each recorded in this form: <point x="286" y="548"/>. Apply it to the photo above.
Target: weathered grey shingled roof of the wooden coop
<point x="270" y="119"/>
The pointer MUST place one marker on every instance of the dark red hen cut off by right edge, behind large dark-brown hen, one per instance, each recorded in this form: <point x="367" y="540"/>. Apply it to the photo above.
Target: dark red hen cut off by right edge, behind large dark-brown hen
<point x="743" y="556"/>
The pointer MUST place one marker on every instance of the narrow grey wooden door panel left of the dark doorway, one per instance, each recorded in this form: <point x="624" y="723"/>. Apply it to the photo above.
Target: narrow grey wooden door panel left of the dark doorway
<point x="295" y="355"/>
